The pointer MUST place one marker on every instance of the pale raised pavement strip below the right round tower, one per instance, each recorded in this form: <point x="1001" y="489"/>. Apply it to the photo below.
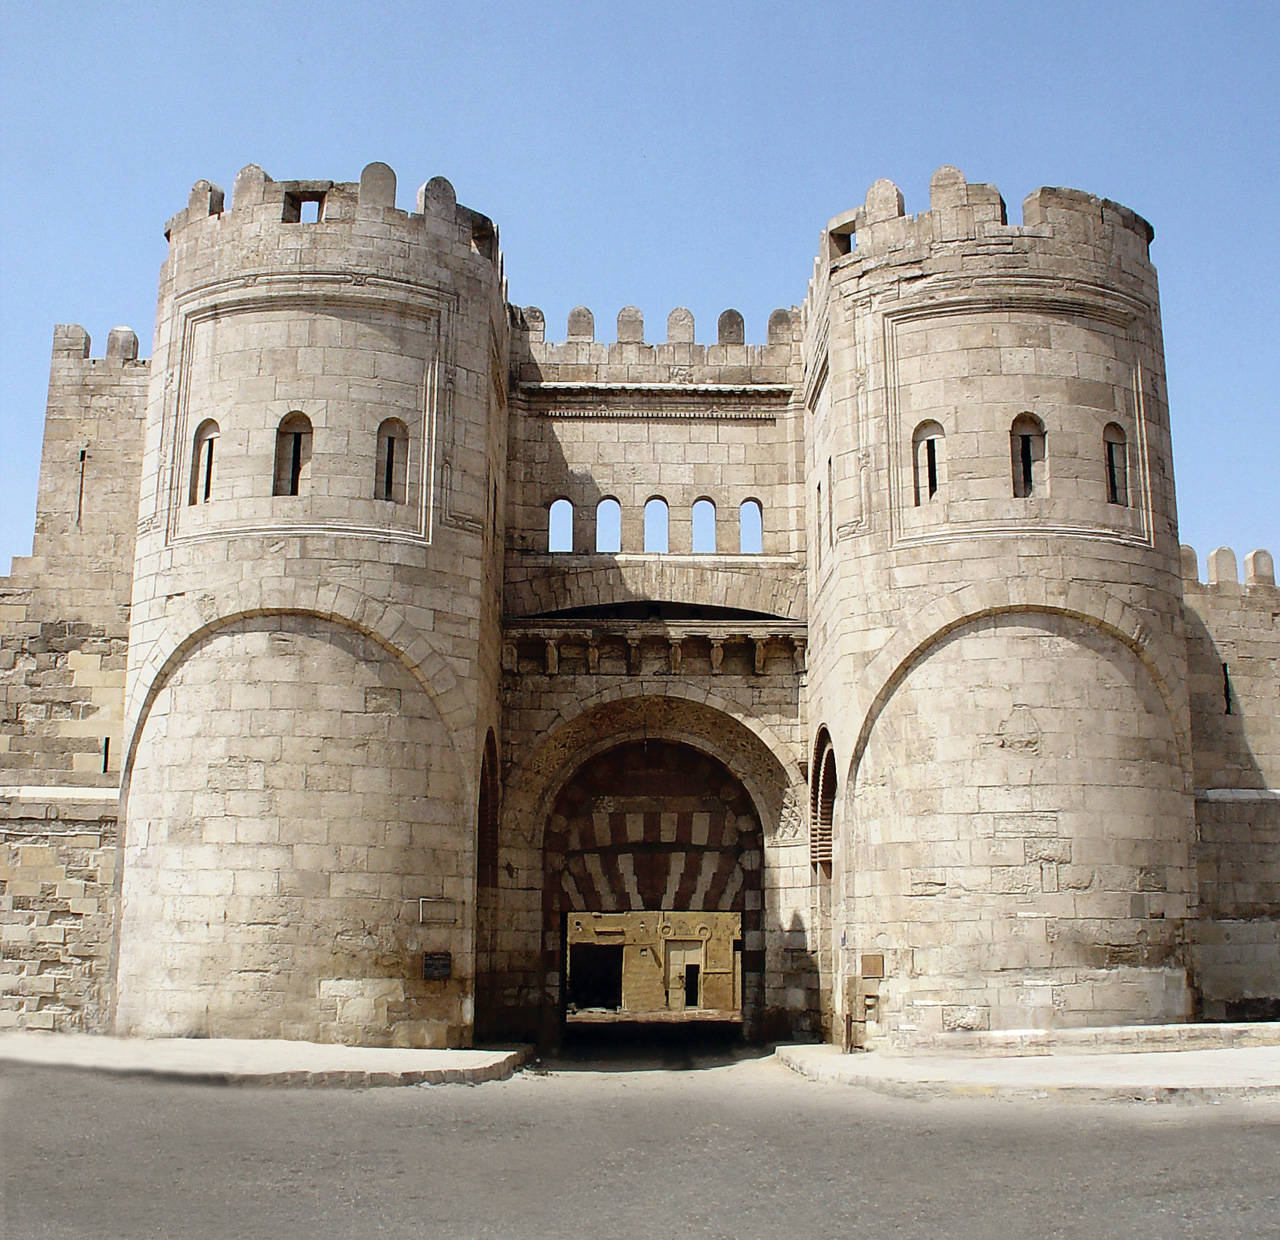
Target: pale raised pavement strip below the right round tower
<point x="1188" y="1077"/>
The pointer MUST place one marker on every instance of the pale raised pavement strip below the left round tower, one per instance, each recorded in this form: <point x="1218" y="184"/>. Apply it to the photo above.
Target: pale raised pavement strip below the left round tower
<point x="231" y="1061"/>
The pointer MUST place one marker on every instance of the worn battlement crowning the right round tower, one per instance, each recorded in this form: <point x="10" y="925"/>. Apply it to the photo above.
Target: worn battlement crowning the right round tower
<point x="961" y="212"/>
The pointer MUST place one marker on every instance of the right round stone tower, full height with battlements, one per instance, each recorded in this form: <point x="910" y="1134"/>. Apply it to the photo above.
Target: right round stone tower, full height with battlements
<point x="995" y="623"/>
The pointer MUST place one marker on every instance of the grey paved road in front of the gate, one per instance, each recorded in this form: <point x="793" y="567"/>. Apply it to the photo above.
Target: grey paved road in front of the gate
<point x="620" y="1149"/>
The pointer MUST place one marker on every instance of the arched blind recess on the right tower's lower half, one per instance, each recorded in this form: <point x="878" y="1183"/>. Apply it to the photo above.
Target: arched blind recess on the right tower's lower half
<point x="1017" y="815"/>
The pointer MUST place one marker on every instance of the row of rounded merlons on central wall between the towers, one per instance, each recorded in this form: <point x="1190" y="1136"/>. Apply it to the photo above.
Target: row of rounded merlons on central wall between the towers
<point x="630" y="359"/>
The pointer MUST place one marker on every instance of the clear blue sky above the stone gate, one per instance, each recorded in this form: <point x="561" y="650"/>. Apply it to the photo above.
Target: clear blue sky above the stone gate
<point x="660" y="155"/>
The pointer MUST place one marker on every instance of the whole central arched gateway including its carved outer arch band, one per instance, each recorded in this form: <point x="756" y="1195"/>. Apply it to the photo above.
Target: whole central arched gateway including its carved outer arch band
<point x="646" y="823"/>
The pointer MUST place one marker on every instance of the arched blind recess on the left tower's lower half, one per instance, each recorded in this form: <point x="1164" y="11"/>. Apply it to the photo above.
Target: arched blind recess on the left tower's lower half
<point x="294" y="791"/>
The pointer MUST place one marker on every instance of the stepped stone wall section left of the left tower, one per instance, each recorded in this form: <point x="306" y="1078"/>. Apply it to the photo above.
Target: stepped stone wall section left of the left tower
<point x="63" y="649"/>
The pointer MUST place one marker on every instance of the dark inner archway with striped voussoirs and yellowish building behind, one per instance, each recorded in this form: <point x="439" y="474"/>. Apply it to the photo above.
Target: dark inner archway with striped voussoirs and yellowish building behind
<point x="653" y="908"/>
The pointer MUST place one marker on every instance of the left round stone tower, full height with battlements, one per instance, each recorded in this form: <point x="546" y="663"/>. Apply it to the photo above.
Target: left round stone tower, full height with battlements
<point x="313" y="664"/>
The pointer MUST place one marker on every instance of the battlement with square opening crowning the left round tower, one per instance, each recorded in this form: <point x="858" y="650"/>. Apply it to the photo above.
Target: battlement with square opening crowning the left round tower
<point x="260" y="199"/>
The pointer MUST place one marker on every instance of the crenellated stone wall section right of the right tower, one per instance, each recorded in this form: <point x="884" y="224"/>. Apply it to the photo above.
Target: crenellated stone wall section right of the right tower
<point x="1233" y="643"/>
